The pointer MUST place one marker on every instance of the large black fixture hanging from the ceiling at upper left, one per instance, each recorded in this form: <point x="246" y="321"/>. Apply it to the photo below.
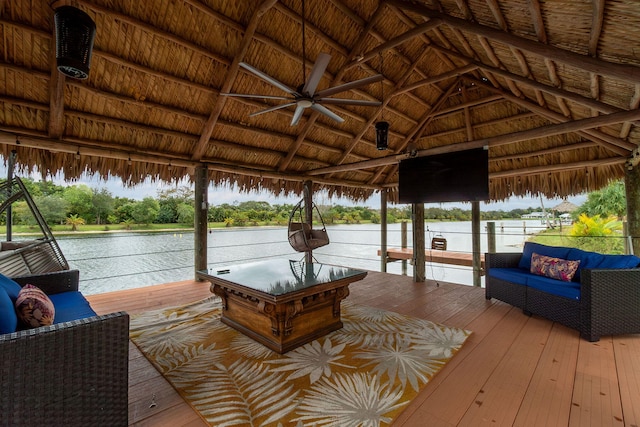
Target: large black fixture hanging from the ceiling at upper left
<point x="75" y="32"/>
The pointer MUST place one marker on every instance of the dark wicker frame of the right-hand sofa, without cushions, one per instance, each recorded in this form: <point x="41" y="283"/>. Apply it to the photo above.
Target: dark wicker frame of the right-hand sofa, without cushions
<point x="609" y="299"/>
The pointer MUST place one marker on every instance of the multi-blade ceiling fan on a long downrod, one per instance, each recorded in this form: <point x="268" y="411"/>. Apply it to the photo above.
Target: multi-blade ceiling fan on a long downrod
<point x="305" y="96"/>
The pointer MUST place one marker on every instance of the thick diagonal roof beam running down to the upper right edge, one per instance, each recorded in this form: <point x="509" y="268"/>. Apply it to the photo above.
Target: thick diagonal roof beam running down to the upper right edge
<point x="624" y="72"/>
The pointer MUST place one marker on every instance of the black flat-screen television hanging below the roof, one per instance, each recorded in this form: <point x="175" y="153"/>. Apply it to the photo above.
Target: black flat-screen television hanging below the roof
<point x="460" y="176"/>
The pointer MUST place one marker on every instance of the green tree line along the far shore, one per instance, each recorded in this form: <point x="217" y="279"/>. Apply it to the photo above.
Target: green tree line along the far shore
<point x="80" y="204"/>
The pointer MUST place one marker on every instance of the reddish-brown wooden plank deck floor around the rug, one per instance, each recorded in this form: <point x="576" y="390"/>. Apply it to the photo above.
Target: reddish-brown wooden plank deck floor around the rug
<point x="513" y="370"/>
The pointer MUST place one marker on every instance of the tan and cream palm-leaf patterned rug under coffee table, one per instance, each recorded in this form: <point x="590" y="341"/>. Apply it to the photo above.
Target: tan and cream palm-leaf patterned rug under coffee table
<point x="361" y="375"/>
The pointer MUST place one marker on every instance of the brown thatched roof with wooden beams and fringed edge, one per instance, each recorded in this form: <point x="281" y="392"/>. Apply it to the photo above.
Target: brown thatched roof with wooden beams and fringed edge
<point x="551" y="87"/>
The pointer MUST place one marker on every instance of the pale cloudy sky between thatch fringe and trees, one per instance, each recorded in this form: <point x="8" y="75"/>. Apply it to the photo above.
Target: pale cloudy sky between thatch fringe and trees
<point x="218" y="196"/>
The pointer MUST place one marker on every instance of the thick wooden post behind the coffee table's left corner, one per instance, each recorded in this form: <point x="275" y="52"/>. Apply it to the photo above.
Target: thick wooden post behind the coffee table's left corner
<point x="201" y="218"/>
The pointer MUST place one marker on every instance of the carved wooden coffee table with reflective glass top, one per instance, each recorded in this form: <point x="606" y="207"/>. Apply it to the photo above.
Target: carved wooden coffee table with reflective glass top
<point x="280" y="303"/>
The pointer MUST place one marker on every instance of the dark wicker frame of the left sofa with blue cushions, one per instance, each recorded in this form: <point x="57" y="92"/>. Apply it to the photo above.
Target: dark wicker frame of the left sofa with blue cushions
<point x="67" y="374"/>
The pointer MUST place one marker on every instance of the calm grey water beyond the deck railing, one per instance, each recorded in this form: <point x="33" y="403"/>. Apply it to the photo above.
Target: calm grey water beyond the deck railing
<point x="128" y="260"/>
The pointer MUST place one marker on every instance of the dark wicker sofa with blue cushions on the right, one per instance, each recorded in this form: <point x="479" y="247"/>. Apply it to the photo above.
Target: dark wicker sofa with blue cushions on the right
<point x="601" y="298"/>
